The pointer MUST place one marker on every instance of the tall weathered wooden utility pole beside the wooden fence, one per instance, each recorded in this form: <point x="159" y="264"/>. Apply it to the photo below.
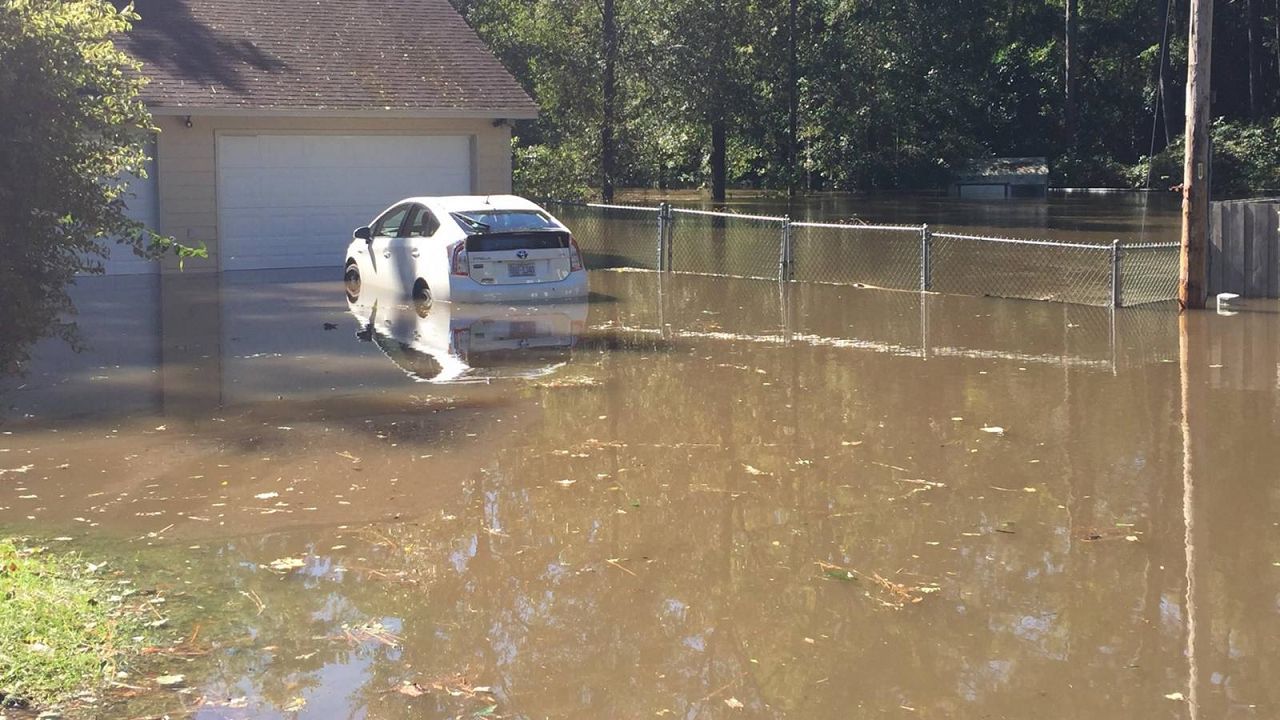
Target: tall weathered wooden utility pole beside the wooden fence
<point x="1196" y="192"/>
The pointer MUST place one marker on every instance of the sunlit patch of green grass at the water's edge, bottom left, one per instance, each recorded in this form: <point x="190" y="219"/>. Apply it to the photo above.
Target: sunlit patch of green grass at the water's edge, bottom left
<point x="65" y="626"/>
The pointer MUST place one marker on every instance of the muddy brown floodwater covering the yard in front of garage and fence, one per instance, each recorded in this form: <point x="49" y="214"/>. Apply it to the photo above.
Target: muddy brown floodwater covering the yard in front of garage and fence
<point x="694" y="498"/>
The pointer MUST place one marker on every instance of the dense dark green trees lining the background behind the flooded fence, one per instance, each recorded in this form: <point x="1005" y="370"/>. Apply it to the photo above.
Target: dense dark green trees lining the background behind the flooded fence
<point x="876" y="95"/>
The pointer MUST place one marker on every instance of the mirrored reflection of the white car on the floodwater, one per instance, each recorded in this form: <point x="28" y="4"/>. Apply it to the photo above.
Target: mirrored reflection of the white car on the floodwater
<point x="447" y="343"/>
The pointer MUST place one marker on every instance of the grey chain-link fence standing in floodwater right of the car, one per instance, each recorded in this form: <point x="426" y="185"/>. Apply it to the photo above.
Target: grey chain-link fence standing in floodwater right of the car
<point x="889" y="257"/>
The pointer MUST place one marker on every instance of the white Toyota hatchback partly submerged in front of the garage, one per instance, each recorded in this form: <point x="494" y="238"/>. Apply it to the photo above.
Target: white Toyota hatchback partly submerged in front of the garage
<point x="468" y="249"/>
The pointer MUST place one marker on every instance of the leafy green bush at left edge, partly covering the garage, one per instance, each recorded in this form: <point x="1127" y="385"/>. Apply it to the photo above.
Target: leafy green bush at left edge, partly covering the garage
<point x="75" y="131"/>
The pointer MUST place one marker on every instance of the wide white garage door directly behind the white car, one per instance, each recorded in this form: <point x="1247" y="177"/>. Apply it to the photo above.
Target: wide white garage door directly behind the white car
<point x="292" y="200"/>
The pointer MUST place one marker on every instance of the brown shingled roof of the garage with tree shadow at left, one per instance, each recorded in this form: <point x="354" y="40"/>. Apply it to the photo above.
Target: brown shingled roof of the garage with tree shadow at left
<point x="319" y="56"/>
